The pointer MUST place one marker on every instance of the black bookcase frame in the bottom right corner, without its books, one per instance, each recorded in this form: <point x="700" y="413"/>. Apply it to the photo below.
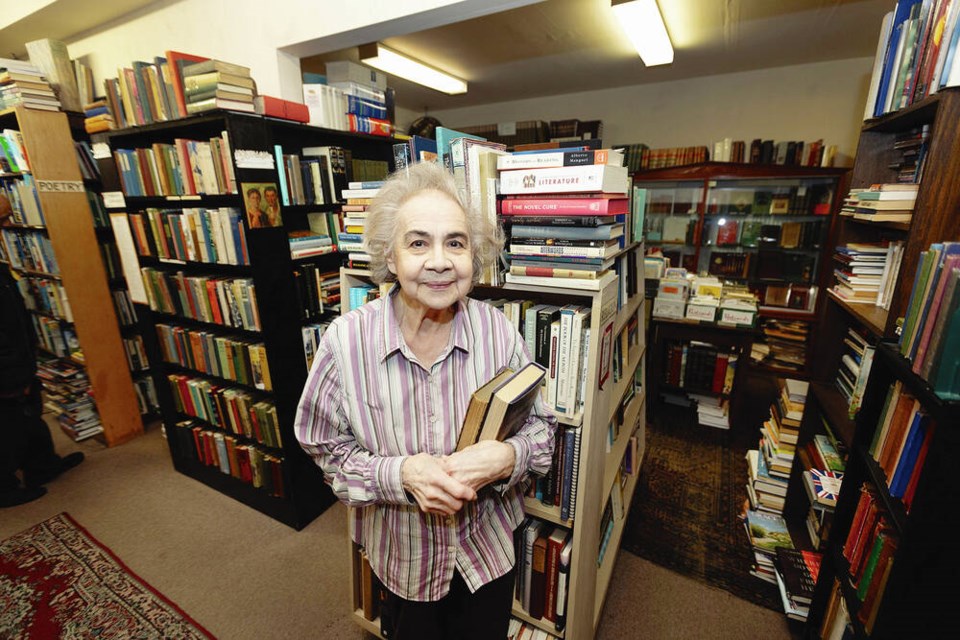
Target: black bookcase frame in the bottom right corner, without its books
<point x="925" y="561"/>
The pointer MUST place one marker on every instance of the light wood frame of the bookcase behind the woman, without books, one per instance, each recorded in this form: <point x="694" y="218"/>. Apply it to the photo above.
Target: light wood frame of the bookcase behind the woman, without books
<point x="614" y="315"/>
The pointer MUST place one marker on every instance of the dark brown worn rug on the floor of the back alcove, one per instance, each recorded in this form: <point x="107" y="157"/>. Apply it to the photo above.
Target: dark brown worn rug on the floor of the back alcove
<point x="691" y="490"/>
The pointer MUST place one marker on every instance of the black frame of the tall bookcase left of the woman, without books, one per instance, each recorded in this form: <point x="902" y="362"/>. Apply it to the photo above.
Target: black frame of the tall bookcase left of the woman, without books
<point x="278" y="307"/>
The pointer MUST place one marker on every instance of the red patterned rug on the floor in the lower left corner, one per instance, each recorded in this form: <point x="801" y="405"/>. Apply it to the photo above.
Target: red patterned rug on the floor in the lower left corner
<point x="58" y="581"/>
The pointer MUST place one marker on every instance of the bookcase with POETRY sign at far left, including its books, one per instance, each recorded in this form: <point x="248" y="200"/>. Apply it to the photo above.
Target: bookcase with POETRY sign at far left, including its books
<point x="49" y="247"/>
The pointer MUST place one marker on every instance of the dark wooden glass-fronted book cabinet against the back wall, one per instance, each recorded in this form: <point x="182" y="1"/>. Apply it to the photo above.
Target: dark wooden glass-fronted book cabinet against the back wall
<point x="766" y="226"/>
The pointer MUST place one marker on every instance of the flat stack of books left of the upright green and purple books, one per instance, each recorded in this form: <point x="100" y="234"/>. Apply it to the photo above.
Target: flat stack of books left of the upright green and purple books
<point x="866" y="272"/>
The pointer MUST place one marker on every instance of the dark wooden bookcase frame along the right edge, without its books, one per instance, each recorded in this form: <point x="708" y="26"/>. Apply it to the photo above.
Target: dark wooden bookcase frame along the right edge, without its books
<point x="915" y="579"/>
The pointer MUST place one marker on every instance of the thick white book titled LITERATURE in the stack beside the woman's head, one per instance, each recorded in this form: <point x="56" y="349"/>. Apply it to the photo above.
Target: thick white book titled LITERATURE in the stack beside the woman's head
<point x="589" y="178"/>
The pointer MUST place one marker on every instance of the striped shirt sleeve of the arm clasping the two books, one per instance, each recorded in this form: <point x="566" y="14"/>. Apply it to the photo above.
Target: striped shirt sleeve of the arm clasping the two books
<point x="533" y="443"/>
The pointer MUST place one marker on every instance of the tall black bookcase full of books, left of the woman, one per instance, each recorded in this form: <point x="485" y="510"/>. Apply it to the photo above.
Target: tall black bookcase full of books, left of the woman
<point x="253" y="309"/>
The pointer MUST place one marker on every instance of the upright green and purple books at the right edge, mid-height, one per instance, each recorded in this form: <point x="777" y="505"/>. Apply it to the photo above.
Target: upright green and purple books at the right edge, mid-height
<point x="930" y="337"/>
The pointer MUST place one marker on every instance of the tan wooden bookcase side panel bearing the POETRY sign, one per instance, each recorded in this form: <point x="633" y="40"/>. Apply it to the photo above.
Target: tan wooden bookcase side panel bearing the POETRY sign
<point x="70" y="229"/>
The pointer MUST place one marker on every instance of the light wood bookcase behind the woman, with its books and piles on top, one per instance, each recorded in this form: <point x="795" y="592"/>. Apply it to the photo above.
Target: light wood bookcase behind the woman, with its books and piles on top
<point x="573" y="289"/>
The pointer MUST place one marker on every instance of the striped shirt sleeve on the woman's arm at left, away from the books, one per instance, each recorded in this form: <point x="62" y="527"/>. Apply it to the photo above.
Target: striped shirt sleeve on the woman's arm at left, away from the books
<point x="357" y="476"/>
